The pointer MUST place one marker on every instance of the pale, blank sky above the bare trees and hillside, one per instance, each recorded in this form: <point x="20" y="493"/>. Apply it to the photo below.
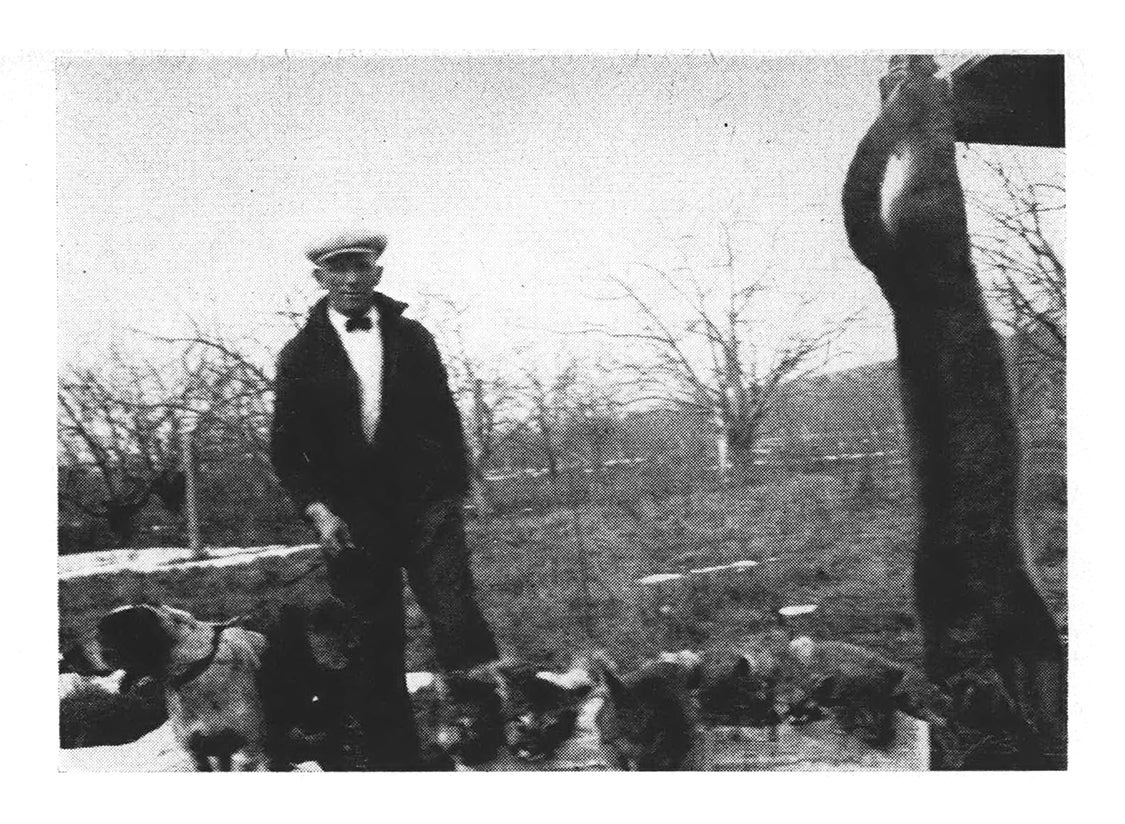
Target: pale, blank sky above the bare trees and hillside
<point x="188" y="189"/>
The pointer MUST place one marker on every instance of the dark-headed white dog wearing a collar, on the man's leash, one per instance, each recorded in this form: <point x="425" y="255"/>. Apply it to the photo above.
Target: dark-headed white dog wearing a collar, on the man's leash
<point x="209" y="673"/>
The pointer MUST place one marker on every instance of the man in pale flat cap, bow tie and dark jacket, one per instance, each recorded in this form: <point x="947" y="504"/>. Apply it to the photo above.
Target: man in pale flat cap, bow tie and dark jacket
<point x="368" y="442"/>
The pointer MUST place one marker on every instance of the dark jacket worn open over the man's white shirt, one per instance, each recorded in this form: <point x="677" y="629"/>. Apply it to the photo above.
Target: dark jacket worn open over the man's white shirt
<point x="319" y="451"/>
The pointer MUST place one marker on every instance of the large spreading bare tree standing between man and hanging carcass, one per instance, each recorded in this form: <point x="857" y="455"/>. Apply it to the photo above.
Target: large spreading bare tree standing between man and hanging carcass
<point x="714" y="361"/>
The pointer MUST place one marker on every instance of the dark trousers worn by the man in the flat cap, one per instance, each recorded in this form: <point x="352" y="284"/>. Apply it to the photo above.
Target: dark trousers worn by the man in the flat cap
<point x="370" y="581"/>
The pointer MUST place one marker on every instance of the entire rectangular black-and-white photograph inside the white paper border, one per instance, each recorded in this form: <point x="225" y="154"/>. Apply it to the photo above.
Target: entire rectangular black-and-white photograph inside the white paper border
<point x="562" y="411"/>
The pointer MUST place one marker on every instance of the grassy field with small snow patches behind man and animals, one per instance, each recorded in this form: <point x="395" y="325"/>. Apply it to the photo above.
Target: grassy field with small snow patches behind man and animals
<point x="556" y="583"/>
